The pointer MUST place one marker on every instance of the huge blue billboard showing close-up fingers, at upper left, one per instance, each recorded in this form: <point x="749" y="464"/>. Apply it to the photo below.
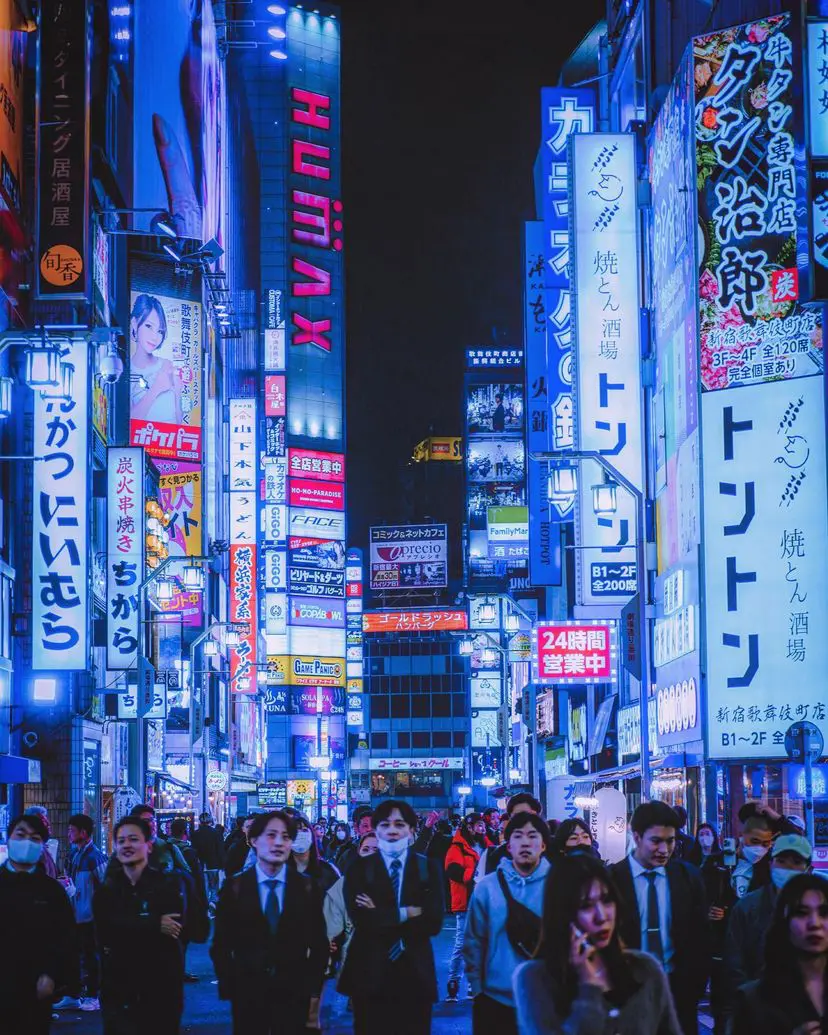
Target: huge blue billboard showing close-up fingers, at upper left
<point x="178" y="147"/>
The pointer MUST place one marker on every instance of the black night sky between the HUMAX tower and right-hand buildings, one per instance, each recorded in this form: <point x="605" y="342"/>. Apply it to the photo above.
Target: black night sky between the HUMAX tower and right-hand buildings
<point x="440" y="132"/>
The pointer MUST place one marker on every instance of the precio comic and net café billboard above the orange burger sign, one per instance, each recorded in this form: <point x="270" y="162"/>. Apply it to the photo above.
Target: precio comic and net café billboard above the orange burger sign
<point x="408" y="556"/>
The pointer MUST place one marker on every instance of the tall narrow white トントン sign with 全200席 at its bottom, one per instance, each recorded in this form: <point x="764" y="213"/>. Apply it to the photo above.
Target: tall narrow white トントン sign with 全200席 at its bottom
<point x="608" y="357"/>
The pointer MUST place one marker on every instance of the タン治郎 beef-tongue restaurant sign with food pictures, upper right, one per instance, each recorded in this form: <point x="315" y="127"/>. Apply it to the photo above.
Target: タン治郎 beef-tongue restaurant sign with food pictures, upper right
<point x="751" y="180"/>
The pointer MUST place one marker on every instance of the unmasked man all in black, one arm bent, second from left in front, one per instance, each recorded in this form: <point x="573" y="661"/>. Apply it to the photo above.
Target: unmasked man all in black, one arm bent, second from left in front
<point x="141" y="918"/>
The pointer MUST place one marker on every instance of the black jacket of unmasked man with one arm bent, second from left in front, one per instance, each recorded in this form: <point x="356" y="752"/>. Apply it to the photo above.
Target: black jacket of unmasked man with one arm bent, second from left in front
<point x="137" y="961"/>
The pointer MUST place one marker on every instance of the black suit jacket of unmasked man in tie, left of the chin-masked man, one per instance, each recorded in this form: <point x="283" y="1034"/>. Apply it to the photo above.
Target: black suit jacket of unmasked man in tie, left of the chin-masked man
<point x="251" y="964"/>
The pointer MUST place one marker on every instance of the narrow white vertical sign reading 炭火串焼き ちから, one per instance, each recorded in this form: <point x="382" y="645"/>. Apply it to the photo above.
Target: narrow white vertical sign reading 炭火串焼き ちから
<point x="125" y="554"/>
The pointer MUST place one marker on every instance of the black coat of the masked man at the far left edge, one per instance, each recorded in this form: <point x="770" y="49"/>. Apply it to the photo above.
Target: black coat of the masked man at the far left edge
<point x="39" y="935"/>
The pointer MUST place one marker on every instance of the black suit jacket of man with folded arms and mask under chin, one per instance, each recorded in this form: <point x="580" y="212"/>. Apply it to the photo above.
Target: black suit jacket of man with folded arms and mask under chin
<point x="368" y="967"/>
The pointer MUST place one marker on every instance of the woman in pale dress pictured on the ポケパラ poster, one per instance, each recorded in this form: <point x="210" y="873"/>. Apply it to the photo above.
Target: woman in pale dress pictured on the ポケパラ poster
<point x="155" y="385"/>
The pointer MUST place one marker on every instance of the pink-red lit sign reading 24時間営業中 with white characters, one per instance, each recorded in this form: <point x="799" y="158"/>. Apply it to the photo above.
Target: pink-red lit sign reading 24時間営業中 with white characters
<point x="575" y="653"/>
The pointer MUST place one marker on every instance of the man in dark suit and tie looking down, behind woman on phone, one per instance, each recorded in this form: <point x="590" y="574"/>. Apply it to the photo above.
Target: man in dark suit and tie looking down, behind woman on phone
<point x="665" y="908"/>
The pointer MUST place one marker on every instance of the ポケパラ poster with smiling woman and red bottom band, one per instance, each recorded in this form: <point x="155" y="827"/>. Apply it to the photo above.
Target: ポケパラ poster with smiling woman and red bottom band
<point x="165" y="366"/>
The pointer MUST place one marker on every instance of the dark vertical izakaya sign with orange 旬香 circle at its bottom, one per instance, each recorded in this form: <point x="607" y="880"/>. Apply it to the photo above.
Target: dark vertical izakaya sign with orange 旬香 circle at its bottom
<point x="63" y="149"/>
